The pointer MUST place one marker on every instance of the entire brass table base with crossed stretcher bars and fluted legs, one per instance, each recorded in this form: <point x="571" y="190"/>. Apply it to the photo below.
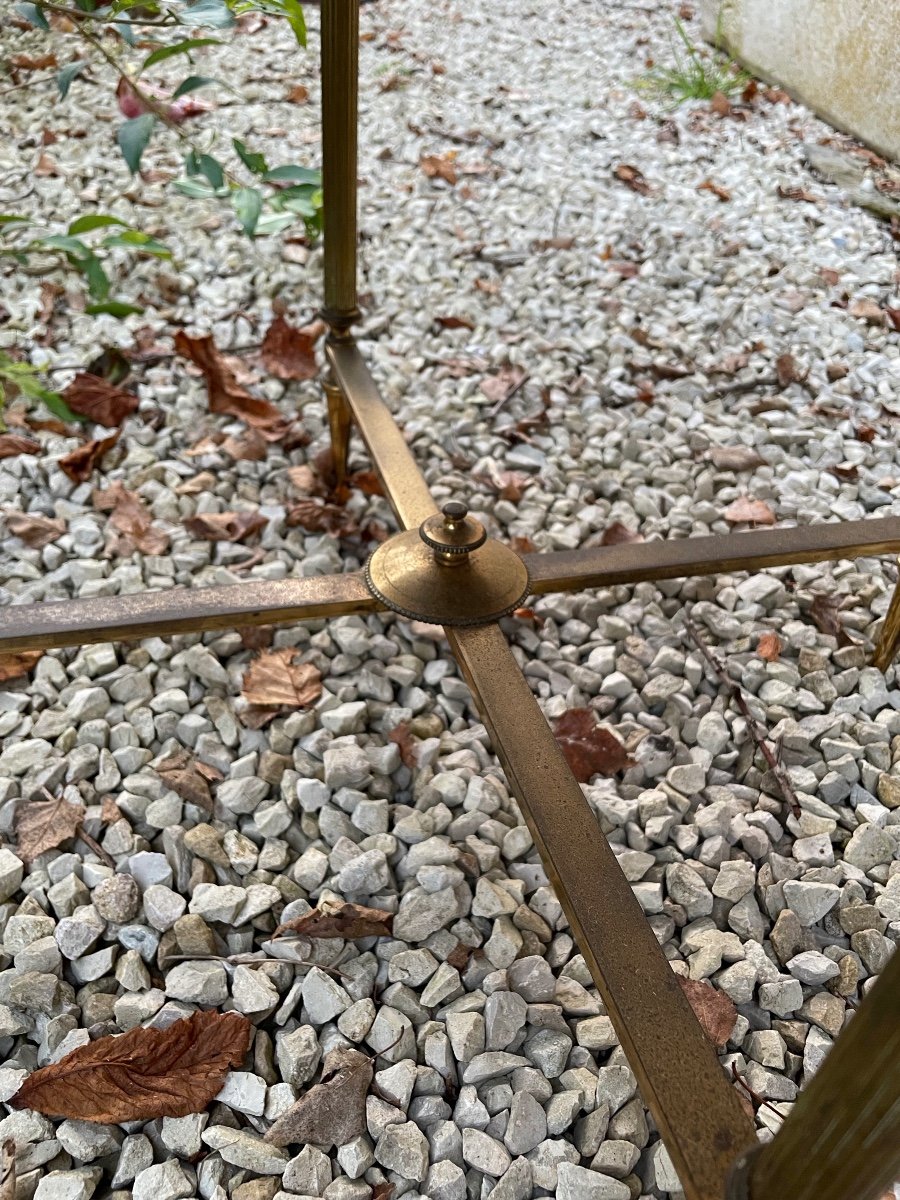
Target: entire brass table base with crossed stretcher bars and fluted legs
<point x="843" y="1139"/>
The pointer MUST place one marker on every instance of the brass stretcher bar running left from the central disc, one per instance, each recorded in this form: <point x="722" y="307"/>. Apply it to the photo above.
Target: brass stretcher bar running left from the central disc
<point x="182" y="611"/>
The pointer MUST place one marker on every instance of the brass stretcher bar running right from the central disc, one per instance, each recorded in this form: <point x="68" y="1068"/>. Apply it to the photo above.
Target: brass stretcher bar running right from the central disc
<point x="601" y="567"/>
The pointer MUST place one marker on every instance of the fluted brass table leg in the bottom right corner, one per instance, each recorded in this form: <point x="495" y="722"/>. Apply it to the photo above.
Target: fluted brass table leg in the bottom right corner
<point x="842" y="1141"/>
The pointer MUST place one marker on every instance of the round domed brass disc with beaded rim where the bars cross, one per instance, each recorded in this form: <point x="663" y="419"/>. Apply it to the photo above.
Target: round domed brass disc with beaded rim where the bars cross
<point x="418" y="579"/>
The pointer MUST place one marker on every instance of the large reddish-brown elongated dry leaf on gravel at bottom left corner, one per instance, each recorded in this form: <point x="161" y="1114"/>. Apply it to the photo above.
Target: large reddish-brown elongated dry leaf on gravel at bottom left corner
<point x="142" y="1075"/>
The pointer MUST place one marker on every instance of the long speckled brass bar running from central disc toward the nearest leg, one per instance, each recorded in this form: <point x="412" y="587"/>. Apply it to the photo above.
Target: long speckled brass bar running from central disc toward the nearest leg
<point x="694" y="1105"/>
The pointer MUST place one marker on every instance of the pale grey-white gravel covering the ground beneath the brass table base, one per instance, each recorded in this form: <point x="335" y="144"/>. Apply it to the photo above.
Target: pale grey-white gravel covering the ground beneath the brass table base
<point x="652" y="325"/>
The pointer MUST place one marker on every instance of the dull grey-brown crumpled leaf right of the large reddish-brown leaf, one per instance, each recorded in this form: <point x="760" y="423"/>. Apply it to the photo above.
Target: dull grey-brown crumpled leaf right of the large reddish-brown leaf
<point x="332" y="1113"/>
